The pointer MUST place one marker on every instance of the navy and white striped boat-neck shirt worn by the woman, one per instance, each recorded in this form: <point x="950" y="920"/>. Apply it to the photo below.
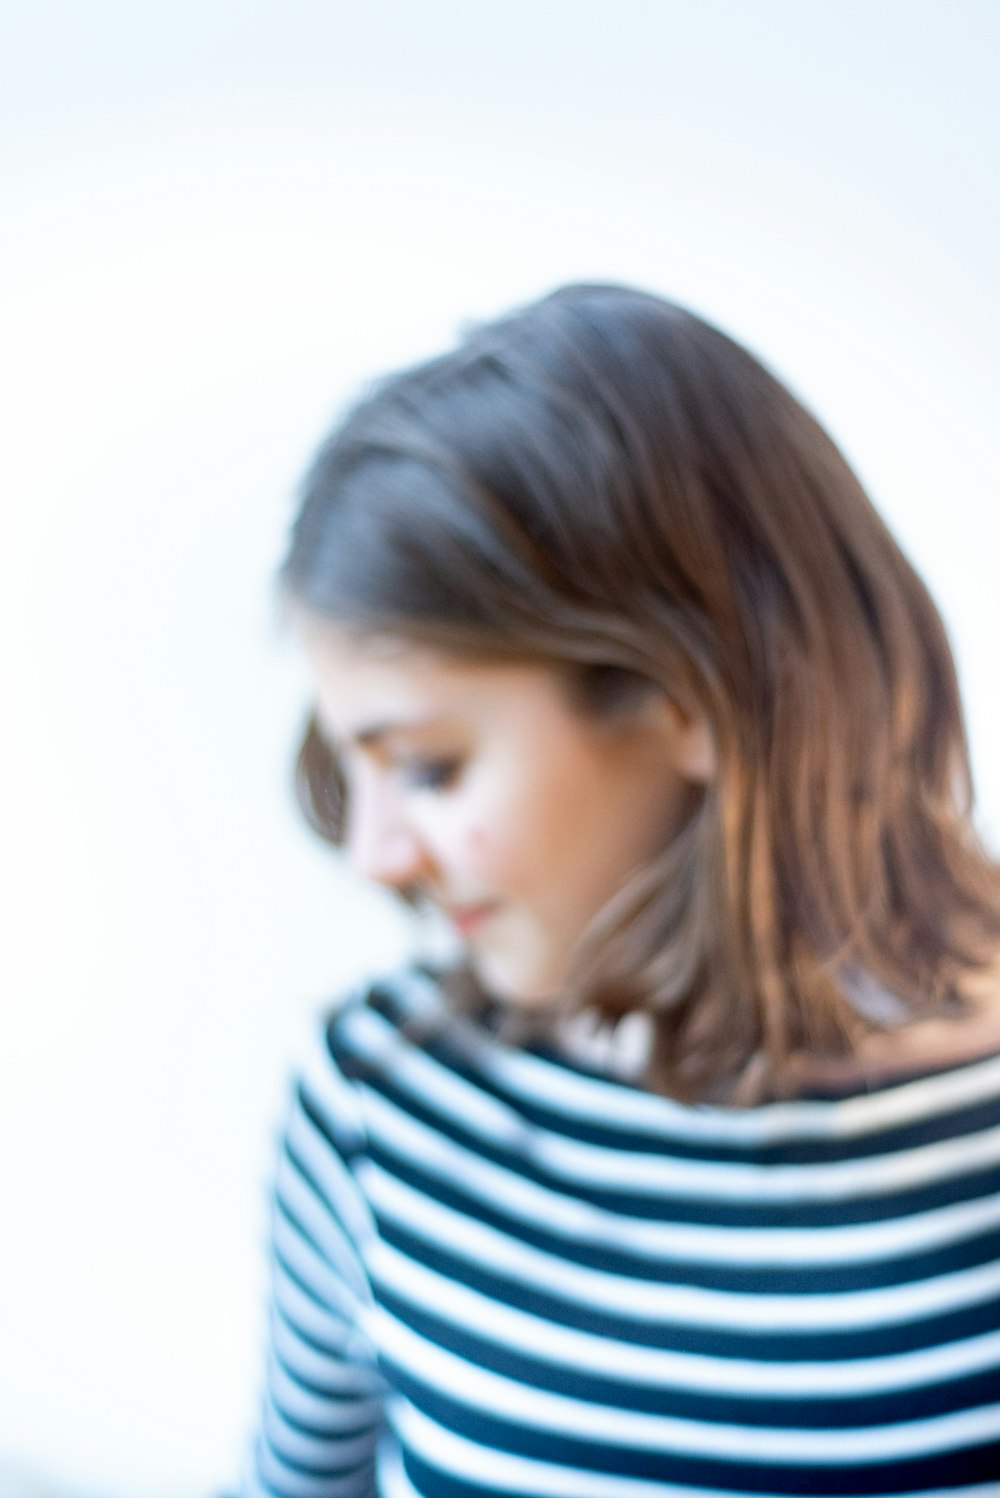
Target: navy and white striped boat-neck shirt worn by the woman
<point x="502" y="1273"/>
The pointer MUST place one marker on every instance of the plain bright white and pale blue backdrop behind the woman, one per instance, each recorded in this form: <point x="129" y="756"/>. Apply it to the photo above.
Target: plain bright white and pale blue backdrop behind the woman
<point x="218" y="222"/>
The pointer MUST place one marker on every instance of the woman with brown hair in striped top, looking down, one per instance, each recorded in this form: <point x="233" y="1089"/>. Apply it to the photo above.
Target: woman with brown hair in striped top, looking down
<point x="686" y="1180"/>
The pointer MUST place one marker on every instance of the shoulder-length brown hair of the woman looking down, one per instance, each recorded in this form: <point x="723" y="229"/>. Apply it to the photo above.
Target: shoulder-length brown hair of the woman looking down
<point x="612" y="486"/>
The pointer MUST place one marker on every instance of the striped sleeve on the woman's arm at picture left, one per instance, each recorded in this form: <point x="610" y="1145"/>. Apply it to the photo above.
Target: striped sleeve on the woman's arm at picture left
<point x="324" y="1395"/>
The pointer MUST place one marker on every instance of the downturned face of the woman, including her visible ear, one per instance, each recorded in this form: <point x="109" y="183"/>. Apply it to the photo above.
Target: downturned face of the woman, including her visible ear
<point x="483" y="787"/>
